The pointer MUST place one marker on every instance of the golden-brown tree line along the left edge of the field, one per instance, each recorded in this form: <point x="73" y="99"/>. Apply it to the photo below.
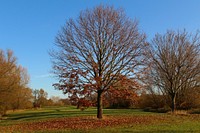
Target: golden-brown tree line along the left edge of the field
<point x="14" y="91"/>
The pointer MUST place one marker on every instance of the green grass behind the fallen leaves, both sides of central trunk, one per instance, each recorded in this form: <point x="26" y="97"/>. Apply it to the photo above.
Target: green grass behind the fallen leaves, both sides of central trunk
<point x="58" y="112"/>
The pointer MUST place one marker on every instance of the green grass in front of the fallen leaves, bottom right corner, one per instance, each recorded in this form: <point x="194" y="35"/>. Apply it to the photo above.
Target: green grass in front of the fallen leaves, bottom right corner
<point x="163" y="127"/>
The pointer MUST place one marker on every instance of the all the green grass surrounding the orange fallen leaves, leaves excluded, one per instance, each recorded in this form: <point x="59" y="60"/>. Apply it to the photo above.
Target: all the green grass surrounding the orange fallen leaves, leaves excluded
<point x="166" y="122"/>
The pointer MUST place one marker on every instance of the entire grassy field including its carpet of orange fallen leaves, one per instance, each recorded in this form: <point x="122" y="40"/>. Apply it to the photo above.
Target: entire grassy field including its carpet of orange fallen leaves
<point x="70" y="119"/>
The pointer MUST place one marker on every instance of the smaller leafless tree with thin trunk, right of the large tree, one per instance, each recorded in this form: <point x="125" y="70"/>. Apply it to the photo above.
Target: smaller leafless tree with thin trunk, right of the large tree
<point x="175" y="64"/>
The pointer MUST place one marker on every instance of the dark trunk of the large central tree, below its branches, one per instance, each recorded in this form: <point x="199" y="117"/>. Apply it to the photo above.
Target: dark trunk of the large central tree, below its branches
<point x="99" y="105"/>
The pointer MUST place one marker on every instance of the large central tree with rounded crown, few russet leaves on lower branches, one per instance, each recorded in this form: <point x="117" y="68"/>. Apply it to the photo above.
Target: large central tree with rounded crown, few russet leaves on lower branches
<point x="94" y="49"/>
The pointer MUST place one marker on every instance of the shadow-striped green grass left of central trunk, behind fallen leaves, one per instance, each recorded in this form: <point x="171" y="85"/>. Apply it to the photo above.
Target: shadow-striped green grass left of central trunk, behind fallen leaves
<point x="44" y="114"/>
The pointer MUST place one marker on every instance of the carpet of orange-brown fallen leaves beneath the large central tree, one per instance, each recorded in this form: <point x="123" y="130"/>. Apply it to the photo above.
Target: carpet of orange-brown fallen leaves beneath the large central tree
<point x="86" y="122"/>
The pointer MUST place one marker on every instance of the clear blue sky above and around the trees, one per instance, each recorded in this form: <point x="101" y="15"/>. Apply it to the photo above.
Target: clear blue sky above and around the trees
<point x="29" y="27"/>
